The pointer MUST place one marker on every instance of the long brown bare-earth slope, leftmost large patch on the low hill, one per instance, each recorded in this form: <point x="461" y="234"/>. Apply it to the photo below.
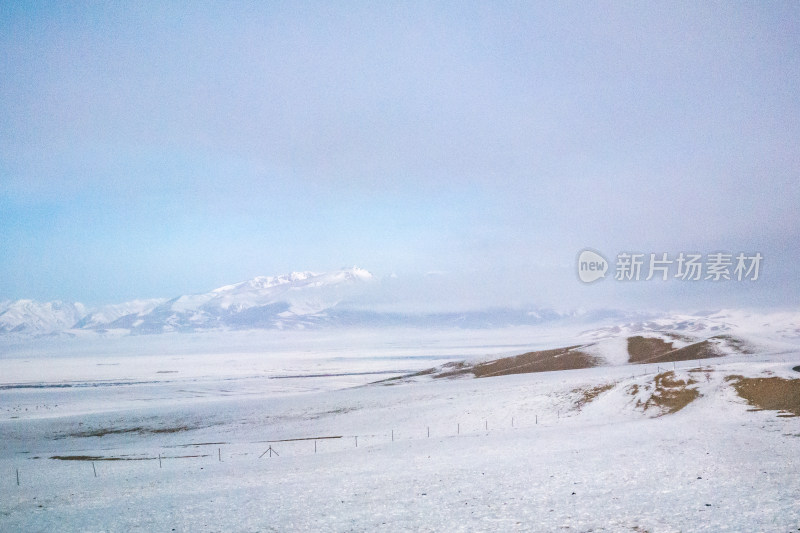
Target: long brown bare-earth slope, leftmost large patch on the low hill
<point x="569" y="358"/>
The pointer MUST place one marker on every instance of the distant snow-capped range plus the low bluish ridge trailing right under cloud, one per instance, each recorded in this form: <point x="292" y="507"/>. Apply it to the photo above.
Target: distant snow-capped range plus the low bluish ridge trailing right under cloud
<point x="290" y="301"/>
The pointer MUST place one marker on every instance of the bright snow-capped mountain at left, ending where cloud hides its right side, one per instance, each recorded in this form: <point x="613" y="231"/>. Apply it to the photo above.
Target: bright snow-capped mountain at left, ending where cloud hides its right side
<point x="292" y="300"/>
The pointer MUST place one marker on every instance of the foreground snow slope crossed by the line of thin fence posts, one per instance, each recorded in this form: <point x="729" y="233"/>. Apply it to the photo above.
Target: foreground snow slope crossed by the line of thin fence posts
<point x="713" y="466"/>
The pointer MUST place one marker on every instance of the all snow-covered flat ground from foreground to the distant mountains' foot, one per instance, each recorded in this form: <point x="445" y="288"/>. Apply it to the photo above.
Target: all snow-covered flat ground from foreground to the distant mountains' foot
<point x="188" y="422"/>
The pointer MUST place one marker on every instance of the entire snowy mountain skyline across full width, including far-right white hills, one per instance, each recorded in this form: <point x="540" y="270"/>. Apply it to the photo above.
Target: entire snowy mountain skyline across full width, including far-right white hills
<point x="343" y="298"/>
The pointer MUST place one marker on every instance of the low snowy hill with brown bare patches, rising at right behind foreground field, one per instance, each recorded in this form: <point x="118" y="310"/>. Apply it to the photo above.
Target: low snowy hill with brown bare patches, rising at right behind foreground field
<point x="659" y="341"/>
